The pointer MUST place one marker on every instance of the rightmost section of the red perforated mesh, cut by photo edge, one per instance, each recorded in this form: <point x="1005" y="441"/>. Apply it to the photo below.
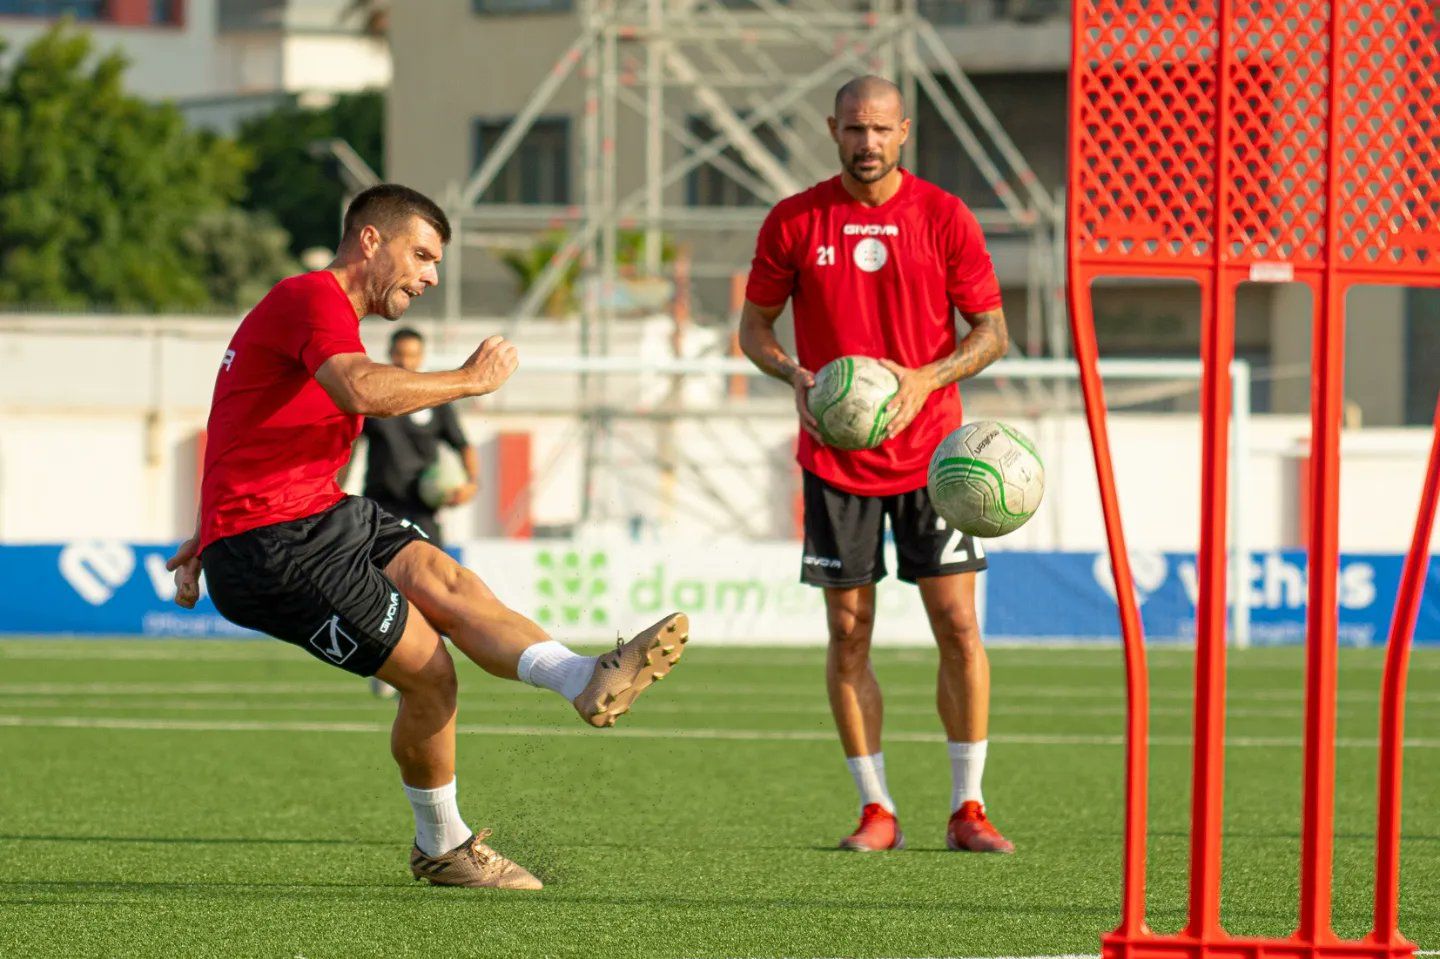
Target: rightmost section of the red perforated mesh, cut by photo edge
<point x="1390" y="117"/>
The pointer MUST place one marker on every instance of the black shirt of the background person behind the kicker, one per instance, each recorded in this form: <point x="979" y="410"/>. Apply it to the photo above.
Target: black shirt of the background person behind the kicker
<point x="401" y="449"/>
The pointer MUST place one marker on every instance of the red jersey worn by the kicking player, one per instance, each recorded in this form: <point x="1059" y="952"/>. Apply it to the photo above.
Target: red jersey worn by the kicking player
<point x="276" y="438"/>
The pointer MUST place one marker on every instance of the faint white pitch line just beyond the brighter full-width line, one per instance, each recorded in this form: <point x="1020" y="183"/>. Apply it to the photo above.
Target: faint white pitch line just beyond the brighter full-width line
<point x="1040" y="693"/>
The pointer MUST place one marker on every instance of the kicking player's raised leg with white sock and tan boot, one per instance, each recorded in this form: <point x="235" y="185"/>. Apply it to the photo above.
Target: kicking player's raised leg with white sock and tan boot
<point x="512" y="647"/>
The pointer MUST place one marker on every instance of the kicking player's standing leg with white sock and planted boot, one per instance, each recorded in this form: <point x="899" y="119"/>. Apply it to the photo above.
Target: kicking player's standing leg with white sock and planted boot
<point x="447" y="852"/>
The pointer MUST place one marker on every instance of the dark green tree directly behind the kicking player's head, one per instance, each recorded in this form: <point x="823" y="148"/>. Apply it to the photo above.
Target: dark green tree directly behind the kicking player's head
<point x="299" y="189"/>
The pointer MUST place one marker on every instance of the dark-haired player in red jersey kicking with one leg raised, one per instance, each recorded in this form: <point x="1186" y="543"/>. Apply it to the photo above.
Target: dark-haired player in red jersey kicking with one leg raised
<point x="286" y="552"/>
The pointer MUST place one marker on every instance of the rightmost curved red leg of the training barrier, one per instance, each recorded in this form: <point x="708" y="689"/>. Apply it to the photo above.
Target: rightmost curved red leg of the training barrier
<point x="1393" y="705"/>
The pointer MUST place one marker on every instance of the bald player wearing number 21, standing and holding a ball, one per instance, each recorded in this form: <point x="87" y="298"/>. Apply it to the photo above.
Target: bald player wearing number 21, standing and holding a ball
<point x="876" y="263"/>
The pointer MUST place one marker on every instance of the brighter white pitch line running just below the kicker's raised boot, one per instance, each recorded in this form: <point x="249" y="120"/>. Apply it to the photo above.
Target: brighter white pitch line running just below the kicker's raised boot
<point x="739" y="735"/>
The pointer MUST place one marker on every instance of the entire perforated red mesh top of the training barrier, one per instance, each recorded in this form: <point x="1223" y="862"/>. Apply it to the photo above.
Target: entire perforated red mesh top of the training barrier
<point x="1148" y="148"/>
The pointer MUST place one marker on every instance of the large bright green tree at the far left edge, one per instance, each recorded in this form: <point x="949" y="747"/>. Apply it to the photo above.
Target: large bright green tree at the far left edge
<point x="99" y="189"/>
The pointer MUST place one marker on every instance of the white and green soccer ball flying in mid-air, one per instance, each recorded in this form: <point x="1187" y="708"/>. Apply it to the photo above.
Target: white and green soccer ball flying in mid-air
<point x="987" y="479"/>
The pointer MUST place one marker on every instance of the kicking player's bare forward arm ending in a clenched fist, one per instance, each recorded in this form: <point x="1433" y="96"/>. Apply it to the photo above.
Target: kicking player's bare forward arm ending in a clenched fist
<point x="359" y="385"/>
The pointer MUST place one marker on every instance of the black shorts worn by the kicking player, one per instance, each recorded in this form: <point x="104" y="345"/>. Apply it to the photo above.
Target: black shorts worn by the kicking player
<point x="318" y="582"/>
